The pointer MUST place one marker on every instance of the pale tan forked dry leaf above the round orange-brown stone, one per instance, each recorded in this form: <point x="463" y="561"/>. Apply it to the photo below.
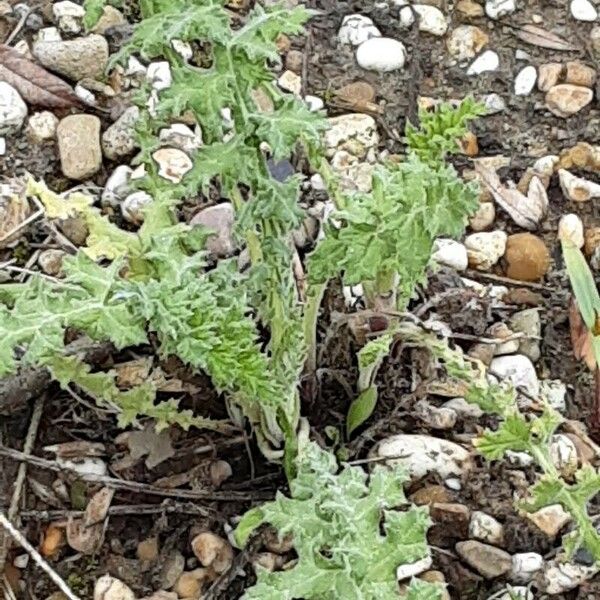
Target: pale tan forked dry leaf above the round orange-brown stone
<point x="525" y="211"/>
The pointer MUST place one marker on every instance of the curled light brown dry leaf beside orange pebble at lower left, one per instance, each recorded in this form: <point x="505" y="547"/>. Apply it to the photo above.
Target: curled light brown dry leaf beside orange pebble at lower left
<point x="87" y="534"/>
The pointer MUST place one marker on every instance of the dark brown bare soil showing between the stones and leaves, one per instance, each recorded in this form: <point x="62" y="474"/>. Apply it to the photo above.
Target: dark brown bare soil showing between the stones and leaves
<point x="523" y="132"/>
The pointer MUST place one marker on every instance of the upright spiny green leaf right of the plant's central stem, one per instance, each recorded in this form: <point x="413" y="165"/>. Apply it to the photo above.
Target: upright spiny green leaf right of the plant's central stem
<point x="386" y="237"/>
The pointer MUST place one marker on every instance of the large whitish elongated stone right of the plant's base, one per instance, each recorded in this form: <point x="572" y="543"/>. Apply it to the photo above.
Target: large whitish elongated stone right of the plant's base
<point x="422" y="454"/>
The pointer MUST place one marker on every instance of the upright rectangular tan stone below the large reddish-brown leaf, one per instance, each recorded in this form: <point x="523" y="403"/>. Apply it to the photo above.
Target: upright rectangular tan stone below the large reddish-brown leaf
<point x="79" y="146"/>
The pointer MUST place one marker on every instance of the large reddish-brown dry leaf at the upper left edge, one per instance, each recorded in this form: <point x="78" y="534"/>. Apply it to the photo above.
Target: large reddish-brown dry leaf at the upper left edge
<point x="37" y="86"/>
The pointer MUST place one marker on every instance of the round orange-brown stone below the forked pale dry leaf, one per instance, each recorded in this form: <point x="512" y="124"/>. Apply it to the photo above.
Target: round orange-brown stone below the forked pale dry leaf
<point x="527" y="257"/>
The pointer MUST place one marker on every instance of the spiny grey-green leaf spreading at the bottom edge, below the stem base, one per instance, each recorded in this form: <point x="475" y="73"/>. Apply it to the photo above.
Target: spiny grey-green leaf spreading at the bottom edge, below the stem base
<point x="348" y="536"/>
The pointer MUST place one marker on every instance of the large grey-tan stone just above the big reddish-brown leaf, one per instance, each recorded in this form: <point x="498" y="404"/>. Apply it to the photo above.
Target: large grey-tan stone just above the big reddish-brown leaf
<point x="75" y="59"/>
